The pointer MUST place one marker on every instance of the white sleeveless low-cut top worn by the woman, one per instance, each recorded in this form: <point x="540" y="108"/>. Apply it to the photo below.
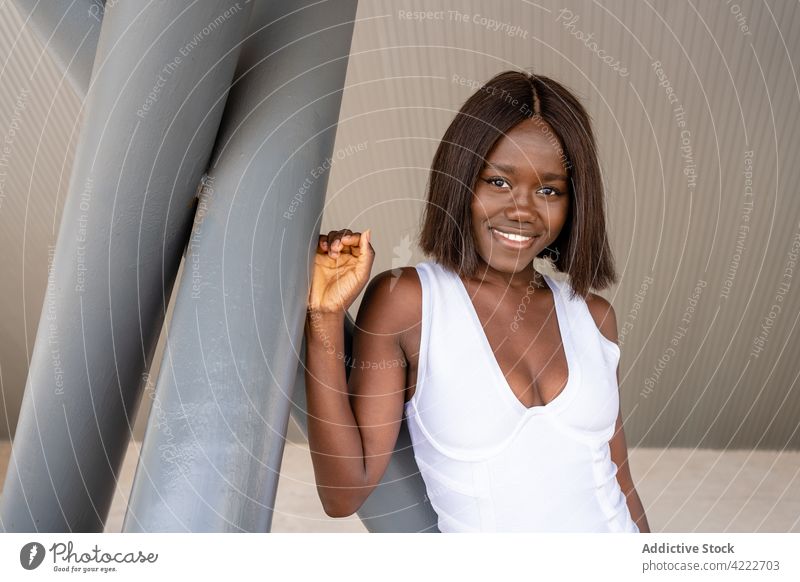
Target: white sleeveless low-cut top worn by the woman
<point x="489" y="463"/>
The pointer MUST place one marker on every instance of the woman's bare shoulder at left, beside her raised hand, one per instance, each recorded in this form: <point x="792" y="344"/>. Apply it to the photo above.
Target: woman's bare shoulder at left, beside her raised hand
<point x="394" y="297"/>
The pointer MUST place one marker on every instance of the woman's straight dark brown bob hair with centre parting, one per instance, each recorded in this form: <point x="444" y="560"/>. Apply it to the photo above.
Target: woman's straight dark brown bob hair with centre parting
<point x="581" y="249"/>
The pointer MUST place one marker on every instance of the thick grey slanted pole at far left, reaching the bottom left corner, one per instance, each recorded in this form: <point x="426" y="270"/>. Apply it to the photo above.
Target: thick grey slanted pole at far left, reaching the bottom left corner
<point x="152" y="113"/>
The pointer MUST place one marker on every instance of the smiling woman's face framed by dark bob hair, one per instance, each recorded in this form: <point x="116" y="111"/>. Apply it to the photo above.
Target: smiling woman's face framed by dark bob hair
<point x="522" y="191"/>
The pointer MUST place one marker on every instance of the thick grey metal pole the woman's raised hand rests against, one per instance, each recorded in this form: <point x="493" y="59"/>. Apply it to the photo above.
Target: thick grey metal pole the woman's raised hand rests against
<point x="214" y="441"/>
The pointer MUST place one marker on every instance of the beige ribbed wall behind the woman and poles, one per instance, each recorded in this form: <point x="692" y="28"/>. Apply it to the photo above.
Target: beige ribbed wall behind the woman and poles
<point x="706" y="360"/>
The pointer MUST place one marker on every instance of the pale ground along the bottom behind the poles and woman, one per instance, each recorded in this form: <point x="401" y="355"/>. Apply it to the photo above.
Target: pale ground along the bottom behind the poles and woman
<point x="683" y="490"/>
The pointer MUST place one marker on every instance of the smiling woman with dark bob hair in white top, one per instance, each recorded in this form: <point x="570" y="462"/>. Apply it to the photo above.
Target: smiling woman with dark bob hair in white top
<point x="510" y="387"/>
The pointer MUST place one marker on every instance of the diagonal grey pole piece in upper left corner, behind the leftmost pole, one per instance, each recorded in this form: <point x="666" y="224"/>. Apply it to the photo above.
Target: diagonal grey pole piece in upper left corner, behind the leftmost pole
<point x="69" y="30"/>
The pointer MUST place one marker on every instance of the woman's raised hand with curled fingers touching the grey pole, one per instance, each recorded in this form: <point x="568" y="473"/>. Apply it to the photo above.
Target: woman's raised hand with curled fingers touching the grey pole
<point x="342" y="265"/>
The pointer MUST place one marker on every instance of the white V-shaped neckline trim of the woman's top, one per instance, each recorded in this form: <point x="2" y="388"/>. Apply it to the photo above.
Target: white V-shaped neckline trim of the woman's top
<point x="487" y="347"/>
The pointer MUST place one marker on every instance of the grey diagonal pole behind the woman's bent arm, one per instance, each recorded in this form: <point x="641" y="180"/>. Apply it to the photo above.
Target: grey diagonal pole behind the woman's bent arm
<point x="399" y="503"/>
